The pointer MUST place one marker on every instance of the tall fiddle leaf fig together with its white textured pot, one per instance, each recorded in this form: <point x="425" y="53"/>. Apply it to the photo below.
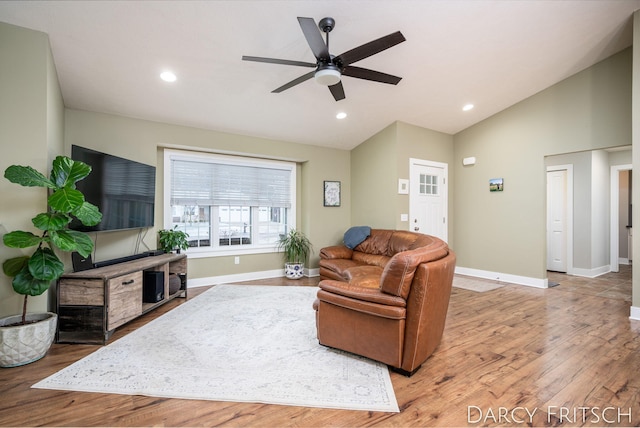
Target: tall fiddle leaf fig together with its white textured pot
<point x="26" y="338"/>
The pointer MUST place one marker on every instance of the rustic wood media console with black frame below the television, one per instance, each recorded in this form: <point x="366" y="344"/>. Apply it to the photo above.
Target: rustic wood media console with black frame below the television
<point x="92" y="303"/>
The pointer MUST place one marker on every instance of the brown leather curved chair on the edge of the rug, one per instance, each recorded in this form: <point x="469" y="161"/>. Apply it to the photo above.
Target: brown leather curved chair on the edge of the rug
<point x="397" y="318"/>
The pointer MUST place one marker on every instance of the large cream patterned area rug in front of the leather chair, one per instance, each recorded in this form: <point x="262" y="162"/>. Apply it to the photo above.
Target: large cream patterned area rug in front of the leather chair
<point x="234" y="343"/>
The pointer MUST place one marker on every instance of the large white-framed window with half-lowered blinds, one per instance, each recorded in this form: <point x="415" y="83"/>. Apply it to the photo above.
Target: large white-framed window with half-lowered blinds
<point x="229" y="204"/>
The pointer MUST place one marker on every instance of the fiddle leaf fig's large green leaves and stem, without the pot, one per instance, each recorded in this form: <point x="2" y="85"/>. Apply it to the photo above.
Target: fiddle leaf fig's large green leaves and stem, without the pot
<point x="32" y="275"/>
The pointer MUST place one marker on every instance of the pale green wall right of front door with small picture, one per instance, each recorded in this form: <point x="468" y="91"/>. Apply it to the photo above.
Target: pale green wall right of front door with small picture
<point x="506" y="231"/>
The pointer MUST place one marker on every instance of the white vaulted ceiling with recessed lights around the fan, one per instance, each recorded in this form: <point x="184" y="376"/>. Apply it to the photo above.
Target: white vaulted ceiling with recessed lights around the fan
<point x="493" y="54"/>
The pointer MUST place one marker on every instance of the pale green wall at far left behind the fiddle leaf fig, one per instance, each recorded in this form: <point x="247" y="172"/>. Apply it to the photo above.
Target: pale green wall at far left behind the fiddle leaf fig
<point x="31" y="133"/>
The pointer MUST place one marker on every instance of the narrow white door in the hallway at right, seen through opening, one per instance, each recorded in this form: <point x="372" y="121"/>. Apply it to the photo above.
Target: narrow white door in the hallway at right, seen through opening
<point x="557" y="220"/>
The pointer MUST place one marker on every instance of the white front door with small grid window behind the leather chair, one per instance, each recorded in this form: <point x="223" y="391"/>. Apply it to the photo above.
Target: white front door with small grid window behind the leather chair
<point x="428" y="198"/>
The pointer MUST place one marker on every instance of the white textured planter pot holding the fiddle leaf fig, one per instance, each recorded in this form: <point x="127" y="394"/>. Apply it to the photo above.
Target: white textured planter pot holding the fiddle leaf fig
<point x="24" y="344"/>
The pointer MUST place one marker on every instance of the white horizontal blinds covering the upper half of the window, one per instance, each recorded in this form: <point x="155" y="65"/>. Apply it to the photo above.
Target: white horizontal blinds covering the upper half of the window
<point x="219" y="183"/>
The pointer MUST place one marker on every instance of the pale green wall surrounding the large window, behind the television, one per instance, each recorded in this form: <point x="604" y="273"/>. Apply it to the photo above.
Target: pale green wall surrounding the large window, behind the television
<point x="145" y="141"/>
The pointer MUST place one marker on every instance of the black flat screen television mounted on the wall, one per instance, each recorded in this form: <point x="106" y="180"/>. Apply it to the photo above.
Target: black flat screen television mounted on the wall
<point x="123" y="190"/>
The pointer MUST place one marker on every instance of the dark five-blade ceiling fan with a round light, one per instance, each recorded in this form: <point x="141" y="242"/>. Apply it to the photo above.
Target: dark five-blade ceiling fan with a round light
<point x="330" y="68"/>
